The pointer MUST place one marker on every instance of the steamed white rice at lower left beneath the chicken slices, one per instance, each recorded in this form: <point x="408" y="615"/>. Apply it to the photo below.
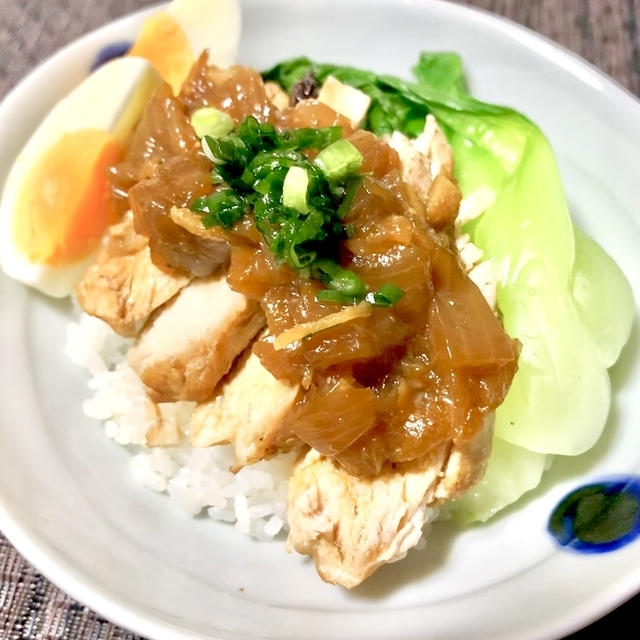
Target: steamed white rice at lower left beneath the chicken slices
<point x="254" y="499"/>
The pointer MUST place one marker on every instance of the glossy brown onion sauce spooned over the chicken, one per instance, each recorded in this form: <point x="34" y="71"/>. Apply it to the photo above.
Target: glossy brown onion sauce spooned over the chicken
<point x="387" y="387"/>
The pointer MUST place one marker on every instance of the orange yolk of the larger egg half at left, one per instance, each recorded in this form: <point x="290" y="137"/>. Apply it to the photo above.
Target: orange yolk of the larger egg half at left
<point x="65" y="204"/>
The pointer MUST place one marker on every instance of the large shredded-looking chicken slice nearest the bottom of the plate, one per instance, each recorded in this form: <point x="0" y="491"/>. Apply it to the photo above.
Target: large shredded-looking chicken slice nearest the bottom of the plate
<point x="350" y="526"/>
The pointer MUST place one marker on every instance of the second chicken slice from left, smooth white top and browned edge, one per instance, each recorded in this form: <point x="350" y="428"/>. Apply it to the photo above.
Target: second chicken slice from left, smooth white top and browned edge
<point x="191" y="342"/>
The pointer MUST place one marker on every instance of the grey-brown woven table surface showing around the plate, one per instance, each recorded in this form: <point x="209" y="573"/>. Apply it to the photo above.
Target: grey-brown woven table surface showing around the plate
<point x="605" y="32"/>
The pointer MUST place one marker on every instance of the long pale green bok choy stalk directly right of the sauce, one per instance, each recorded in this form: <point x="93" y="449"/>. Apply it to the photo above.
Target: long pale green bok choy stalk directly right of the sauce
<point x="528" y="235"/>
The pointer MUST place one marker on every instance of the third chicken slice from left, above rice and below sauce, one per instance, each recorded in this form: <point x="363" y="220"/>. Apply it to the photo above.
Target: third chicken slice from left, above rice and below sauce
<point x="248" y="411"/>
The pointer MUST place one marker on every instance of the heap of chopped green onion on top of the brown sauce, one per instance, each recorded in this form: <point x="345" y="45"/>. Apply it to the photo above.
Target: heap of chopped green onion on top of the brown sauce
<point x="296" y="204"/>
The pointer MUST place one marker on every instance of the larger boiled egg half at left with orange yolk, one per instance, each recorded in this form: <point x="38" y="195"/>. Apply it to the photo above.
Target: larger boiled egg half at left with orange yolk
<point x="56" y="203"/>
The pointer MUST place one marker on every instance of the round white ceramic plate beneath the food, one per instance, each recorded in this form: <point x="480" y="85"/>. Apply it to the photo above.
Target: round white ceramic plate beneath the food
<point x="69" y="505"/>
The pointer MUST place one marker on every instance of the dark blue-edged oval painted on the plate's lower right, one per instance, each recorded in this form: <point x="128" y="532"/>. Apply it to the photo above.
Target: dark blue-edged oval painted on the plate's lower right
<point x="598" y="517"/>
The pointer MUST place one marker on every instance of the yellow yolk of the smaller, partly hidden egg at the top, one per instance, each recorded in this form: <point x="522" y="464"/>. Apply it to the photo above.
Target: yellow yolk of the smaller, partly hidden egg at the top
<point x="163" y="42"/>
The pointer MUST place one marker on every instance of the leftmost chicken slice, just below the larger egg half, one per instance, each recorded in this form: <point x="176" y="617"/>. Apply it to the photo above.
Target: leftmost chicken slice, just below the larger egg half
<point x="123" y="286"/>
